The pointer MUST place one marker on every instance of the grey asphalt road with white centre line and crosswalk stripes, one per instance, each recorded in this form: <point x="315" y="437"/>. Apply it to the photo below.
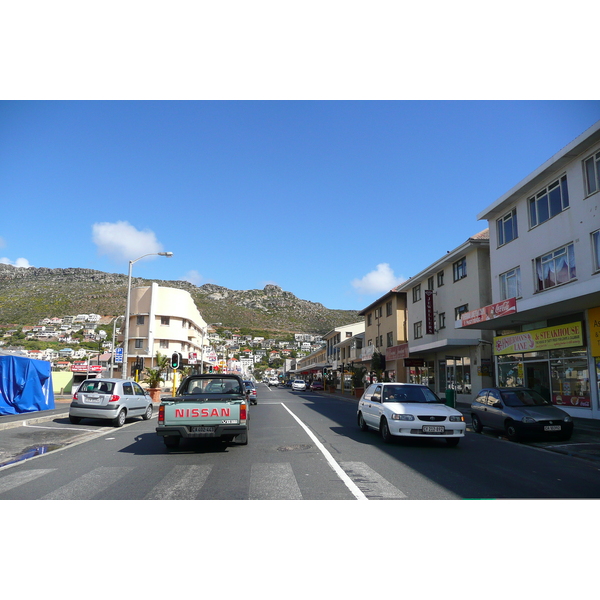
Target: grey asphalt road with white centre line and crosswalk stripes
<point x="301" y="446"/>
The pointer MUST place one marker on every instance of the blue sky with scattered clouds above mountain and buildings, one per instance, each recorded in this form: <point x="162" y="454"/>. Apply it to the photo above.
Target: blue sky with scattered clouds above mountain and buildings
<point x="334" y="201"/>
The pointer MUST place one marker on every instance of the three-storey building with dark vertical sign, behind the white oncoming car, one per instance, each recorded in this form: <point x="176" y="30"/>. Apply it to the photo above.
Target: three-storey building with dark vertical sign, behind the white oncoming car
<point x="436" y="353"/>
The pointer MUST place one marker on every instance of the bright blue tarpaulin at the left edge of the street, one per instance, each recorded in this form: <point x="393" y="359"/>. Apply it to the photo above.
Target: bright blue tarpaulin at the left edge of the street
<point x="25" y="385"/>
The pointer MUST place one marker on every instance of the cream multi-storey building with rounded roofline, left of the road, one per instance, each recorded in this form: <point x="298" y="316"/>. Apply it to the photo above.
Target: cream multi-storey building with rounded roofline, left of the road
<point x="165" y="320"/>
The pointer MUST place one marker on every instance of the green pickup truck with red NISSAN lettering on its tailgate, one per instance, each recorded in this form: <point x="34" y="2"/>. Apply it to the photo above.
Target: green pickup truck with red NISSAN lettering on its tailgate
<point x="206" y="406"/>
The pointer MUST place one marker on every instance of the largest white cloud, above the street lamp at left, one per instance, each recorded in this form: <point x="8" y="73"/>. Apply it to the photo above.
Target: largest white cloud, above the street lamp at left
<point x="123" y="242"/>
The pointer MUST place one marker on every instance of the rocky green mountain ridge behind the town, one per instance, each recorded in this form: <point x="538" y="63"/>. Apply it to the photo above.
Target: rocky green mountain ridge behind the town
<point x="30" y="294"/>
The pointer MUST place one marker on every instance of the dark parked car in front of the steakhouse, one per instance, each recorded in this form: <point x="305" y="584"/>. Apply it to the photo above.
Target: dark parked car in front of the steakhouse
<point x="519" y="412"/>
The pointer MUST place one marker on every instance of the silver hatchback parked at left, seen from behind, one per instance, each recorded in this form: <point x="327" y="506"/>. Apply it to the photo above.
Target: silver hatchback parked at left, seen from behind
<point x="111" y="399"/>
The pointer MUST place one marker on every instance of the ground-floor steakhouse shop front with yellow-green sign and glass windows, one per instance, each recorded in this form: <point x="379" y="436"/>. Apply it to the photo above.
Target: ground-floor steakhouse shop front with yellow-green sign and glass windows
<point x="551" y="360"/>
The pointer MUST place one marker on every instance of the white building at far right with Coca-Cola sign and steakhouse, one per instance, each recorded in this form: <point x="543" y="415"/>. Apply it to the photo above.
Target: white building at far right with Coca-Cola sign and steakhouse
<point x="545" y="279"/>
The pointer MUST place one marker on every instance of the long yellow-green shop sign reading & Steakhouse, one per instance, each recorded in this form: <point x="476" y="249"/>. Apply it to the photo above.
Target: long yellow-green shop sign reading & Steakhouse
<point x="549" y="338"/>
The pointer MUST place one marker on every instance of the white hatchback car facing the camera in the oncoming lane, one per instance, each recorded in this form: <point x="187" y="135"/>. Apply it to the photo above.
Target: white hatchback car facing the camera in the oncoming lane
<point x="409" y="410"/>
